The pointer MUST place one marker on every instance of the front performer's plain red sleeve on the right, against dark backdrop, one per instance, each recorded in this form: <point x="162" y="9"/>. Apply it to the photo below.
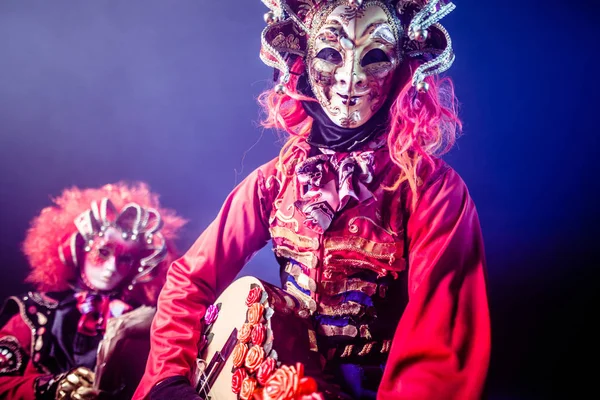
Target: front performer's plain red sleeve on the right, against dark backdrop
<point x="441" y="346"/>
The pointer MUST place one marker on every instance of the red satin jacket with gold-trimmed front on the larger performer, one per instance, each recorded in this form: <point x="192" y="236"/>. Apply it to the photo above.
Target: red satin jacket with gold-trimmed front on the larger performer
<point x="379" y="272"/>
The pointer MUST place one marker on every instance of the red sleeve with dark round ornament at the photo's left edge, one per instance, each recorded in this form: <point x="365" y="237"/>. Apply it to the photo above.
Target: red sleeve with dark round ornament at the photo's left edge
<point x="17" y="376"/>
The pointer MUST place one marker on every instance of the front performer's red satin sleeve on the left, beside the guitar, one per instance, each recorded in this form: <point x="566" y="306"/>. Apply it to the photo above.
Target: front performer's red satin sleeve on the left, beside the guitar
<point x="195" y="280"/>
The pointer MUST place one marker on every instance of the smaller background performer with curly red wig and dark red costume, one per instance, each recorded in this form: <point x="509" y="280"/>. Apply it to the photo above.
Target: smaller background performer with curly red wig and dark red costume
<point x="94" y="254"/>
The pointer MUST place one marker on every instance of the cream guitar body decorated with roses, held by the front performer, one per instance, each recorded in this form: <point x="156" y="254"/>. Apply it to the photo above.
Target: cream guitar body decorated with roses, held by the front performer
<point x="258" y="343"/>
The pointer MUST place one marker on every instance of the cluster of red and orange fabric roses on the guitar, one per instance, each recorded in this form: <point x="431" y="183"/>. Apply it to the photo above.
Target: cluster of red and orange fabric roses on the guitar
<point x="257" y="374"/>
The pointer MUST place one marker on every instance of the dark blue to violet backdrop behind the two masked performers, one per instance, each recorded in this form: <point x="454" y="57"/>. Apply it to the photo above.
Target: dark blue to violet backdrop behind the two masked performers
<point x="92" y="92"/>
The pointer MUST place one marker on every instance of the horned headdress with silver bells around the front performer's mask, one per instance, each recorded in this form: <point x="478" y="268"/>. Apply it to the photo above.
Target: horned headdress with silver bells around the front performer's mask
<point x="292" y="22"/>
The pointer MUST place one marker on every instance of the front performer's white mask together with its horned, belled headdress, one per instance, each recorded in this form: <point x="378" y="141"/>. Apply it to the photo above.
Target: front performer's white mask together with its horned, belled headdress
<point x="352" y="48"/>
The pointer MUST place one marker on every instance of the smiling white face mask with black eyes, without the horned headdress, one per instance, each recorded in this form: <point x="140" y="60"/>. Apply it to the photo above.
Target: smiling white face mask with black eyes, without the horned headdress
<point x="351" y="61"/>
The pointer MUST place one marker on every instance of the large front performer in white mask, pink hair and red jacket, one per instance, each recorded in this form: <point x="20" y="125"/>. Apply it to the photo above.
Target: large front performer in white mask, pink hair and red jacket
<point x="375" y="235"/>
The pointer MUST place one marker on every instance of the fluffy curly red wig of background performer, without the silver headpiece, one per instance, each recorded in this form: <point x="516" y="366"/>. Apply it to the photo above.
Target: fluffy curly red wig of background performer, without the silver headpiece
<point x="55" y="226"/>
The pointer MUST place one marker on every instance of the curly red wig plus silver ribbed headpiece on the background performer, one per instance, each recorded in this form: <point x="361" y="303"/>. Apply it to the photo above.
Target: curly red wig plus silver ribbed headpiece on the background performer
<point x="62" y="233"/>
